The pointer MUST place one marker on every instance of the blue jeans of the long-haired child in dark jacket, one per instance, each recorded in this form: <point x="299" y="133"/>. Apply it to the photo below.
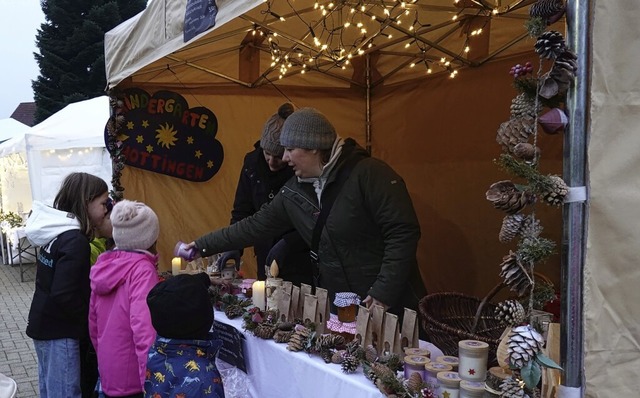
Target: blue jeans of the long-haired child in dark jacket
<point x="58" y="368"/>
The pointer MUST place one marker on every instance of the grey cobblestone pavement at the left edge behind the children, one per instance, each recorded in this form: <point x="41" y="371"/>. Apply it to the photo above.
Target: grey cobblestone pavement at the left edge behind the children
<point x="17" y="356"/>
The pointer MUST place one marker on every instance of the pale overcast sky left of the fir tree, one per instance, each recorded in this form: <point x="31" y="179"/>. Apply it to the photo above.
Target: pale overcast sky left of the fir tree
<point x="19" y="22"/>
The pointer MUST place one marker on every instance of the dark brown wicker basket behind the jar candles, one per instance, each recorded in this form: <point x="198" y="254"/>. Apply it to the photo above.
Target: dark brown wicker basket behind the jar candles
<point x="449" y="317"/>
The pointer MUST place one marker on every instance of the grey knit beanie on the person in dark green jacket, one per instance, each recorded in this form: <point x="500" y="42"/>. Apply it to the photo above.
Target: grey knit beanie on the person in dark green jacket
<point x="309" y="129"/>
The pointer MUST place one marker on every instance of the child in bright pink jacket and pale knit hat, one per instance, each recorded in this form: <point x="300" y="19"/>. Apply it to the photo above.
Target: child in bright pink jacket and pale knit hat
<point x="119" y="321"/>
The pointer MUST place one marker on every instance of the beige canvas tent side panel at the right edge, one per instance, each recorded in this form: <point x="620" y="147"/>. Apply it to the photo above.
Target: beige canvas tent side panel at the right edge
<point x="612" y="274"/>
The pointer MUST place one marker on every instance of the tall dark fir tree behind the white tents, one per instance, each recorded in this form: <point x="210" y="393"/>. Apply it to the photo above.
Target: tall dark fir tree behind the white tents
<point x="71" y="44"/>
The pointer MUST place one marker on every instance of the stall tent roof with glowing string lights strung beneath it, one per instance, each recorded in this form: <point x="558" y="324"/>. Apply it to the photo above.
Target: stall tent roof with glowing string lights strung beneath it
<point x="149" y="47"/>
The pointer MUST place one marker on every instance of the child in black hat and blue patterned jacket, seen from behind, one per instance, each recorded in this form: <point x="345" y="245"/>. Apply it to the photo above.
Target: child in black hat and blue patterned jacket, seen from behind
<point x="182" y="359"/>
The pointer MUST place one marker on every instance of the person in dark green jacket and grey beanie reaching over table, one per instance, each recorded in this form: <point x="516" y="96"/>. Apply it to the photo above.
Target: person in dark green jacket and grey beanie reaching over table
<point x="369" y="240"/>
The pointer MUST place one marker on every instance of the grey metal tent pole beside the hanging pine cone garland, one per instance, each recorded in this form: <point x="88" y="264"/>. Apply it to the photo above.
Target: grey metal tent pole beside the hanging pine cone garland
<point x="575" y="213"/>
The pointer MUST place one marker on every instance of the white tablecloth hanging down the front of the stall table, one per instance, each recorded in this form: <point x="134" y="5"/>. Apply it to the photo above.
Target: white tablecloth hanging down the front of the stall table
<point x="273" y="371"/>
